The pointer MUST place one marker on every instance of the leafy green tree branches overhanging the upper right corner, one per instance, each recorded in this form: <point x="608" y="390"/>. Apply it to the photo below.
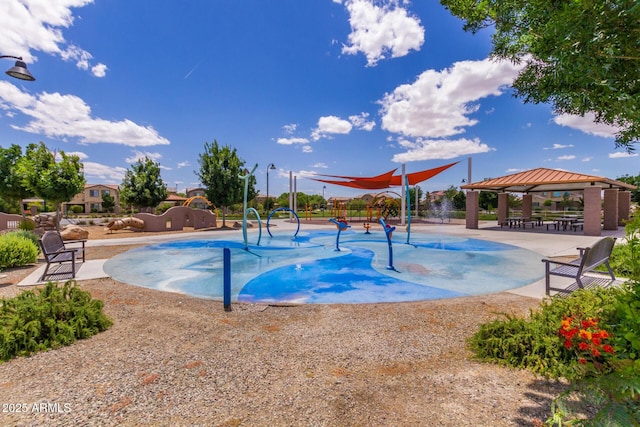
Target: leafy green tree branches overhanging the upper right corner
<point x="580" y="56"/>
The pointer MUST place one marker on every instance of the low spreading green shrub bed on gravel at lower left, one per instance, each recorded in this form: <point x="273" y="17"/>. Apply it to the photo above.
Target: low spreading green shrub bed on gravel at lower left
<point x="48" y="317"/>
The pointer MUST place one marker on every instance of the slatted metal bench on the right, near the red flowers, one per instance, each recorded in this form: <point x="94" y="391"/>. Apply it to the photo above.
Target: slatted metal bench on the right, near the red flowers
<point x="590" y="258"/>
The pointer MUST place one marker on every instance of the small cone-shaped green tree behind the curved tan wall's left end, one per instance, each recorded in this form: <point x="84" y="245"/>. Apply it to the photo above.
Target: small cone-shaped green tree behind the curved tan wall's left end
<point x="142" y="185"/>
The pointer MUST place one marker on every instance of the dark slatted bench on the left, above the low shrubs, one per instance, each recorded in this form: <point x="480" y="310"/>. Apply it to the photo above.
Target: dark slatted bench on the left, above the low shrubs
<point x="56" y="251"/>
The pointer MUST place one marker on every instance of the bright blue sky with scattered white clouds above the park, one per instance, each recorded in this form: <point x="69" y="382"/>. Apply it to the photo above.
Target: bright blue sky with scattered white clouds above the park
<point x="340" y="87"/>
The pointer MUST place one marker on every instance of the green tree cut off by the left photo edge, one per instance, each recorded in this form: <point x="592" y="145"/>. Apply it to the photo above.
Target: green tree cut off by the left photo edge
<point x="12" y="186"/>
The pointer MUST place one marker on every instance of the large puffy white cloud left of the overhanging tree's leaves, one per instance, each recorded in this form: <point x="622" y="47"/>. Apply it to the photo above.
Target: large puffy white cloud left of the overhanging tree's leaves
<point x="438" y="104"/>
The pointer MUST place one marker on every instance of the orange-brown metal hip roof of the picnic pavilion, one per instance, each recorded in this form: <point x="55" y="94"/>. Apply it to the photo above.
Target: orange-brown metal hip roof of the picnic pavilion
<point x="543" y="179"/>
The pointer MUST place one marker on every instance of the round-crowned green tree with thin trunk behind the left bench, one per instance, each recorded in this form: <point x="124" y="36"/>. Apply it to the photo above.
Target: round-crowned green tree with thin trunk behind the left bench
<point x="55" y="180"/>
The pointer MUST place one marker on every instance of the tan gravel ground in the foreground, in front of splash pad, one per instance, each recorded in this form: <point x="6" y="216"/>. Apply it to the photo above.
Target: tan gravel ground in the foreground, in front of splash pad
<point x="170" y="359"/>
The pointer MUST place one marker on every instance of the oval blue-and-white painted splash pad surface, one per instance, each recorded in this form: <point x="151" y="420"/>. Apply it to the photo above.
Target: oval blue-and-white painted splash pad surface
<point x="308" y="269"/>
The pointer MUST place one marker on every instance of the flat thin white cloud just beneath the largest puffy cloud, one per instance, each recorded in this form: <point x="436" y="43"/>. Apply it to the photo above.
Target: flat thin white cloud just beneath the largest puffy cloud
<point x="439" y="149"/>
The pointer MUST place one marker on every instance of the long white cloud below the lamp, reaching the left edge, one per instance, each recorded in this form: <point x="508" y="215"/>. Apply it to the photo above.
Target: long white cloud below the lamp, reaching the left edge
<point x="67" y="116"/>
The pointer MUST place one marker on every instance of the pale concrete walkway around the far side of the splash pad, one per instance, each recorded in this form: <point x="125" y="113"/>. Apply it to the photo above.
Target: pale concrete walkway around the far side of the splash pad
<point x="547" y="245"/>
